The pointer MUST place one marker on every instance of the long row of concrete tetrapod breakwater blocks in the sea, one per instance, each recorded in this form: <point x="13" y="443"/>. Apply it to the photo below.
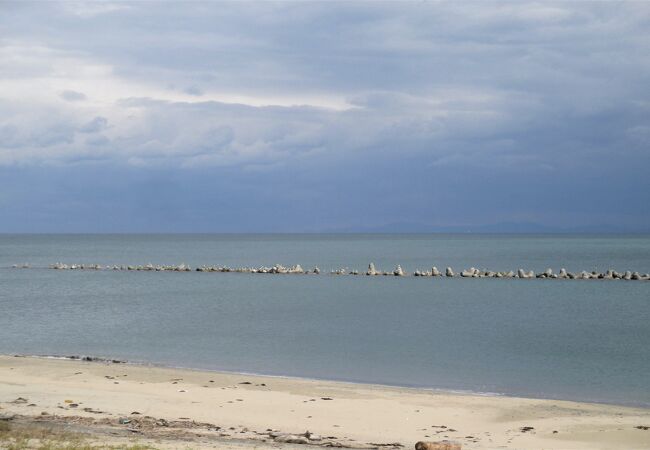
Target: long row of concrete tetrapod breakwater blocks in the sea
<point x="297" y="269"/>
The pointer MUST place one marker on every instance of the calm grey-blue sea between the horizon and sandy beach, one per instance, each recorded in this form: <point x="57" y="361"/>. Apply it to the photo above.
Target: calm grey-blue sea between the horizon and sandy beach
<point x="579" y="340"/>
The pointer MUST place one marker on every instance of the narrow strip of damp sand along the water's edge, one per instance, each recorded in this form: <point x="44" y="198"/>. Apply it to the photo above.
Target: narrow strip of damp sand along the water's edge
<point x="416" y="388"/>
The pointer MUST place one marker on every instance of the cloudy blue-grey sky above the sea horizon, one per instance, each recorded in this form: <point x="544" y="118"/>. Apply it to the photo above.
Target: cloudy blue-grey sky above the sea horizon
<point x="324" y="117"/>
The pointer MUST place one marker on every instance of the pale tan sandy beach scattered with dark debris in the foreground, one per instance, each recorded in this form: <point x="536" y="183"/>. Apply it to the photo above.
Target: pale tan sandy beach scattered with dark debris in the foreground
<point x="180" y="408"/>
